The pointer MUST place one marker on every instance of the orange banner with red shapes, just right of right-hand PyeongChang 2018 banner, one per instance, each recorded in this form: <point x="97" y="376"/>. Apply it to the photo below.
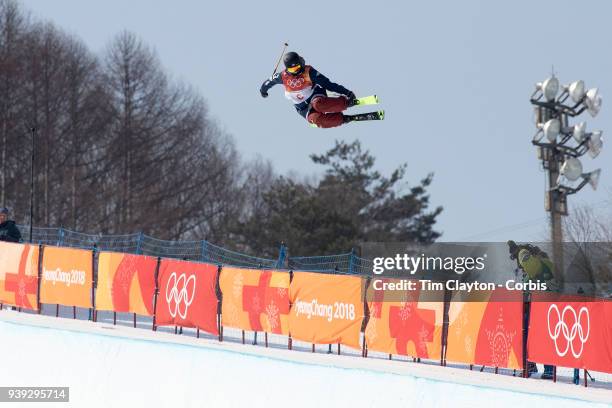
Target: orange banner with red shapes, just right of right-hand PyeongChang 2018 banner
<point x="405" y="326"/>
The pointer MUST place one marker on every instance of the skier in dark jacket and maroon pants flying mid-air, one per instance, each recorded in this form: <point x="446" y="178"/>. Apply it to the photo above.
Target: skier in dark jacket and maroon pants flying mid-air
<point x="307" y="89"/>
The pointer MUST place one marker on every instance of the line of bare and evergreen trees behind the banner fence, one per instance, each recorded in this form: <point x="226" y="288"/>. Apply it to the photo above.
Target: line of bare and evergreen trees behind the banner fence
<point x="120" y="147"/>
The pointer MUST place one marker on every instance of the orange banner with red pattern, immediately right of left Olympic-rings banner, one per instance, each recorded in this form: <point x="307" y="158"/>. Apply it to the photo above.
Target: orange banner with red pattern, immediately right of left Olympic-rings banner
<point x="255" y="300"/>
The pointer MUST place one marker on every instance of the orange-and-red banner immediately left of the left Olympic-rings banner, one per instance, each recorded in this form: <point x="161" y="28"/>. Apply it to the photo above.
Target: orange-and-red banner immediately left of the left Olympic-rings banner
<point x="126" y="283"/>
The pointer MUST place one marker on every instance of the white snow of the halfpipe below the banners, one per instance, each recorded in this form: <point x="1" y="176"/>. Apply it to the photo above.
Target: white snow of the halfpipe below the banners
<point x="114" y="366"/>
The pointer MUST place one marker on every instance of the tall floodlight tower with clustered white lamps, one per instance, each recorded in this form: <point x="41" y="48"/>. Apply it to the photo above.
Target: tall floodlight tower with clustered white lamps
<point x="560" y="146"/>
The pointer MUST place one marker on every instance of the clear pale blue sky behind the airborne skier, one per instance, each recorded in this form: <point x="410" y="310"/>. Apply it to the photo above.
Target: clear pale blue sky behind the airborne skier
<point x="454" y="78"/>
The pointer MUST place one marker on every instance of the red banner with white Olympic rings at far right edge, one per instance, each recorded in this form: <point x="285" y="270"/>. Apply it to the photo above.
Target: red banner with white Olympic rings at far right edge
<point x="570" y="331"/>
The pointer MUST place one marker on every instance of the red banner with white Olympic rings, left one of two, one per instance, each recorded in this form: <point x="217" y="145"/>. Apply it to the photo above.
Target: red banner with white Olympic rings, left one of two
<point x="187" y="295"/>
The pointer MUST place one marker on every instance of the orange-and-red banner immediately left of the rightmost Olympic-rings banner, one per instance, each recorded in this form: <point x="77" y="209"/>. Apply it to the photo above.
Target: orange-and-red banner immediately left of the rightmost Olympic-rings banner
<point x="486" y="331"/>
